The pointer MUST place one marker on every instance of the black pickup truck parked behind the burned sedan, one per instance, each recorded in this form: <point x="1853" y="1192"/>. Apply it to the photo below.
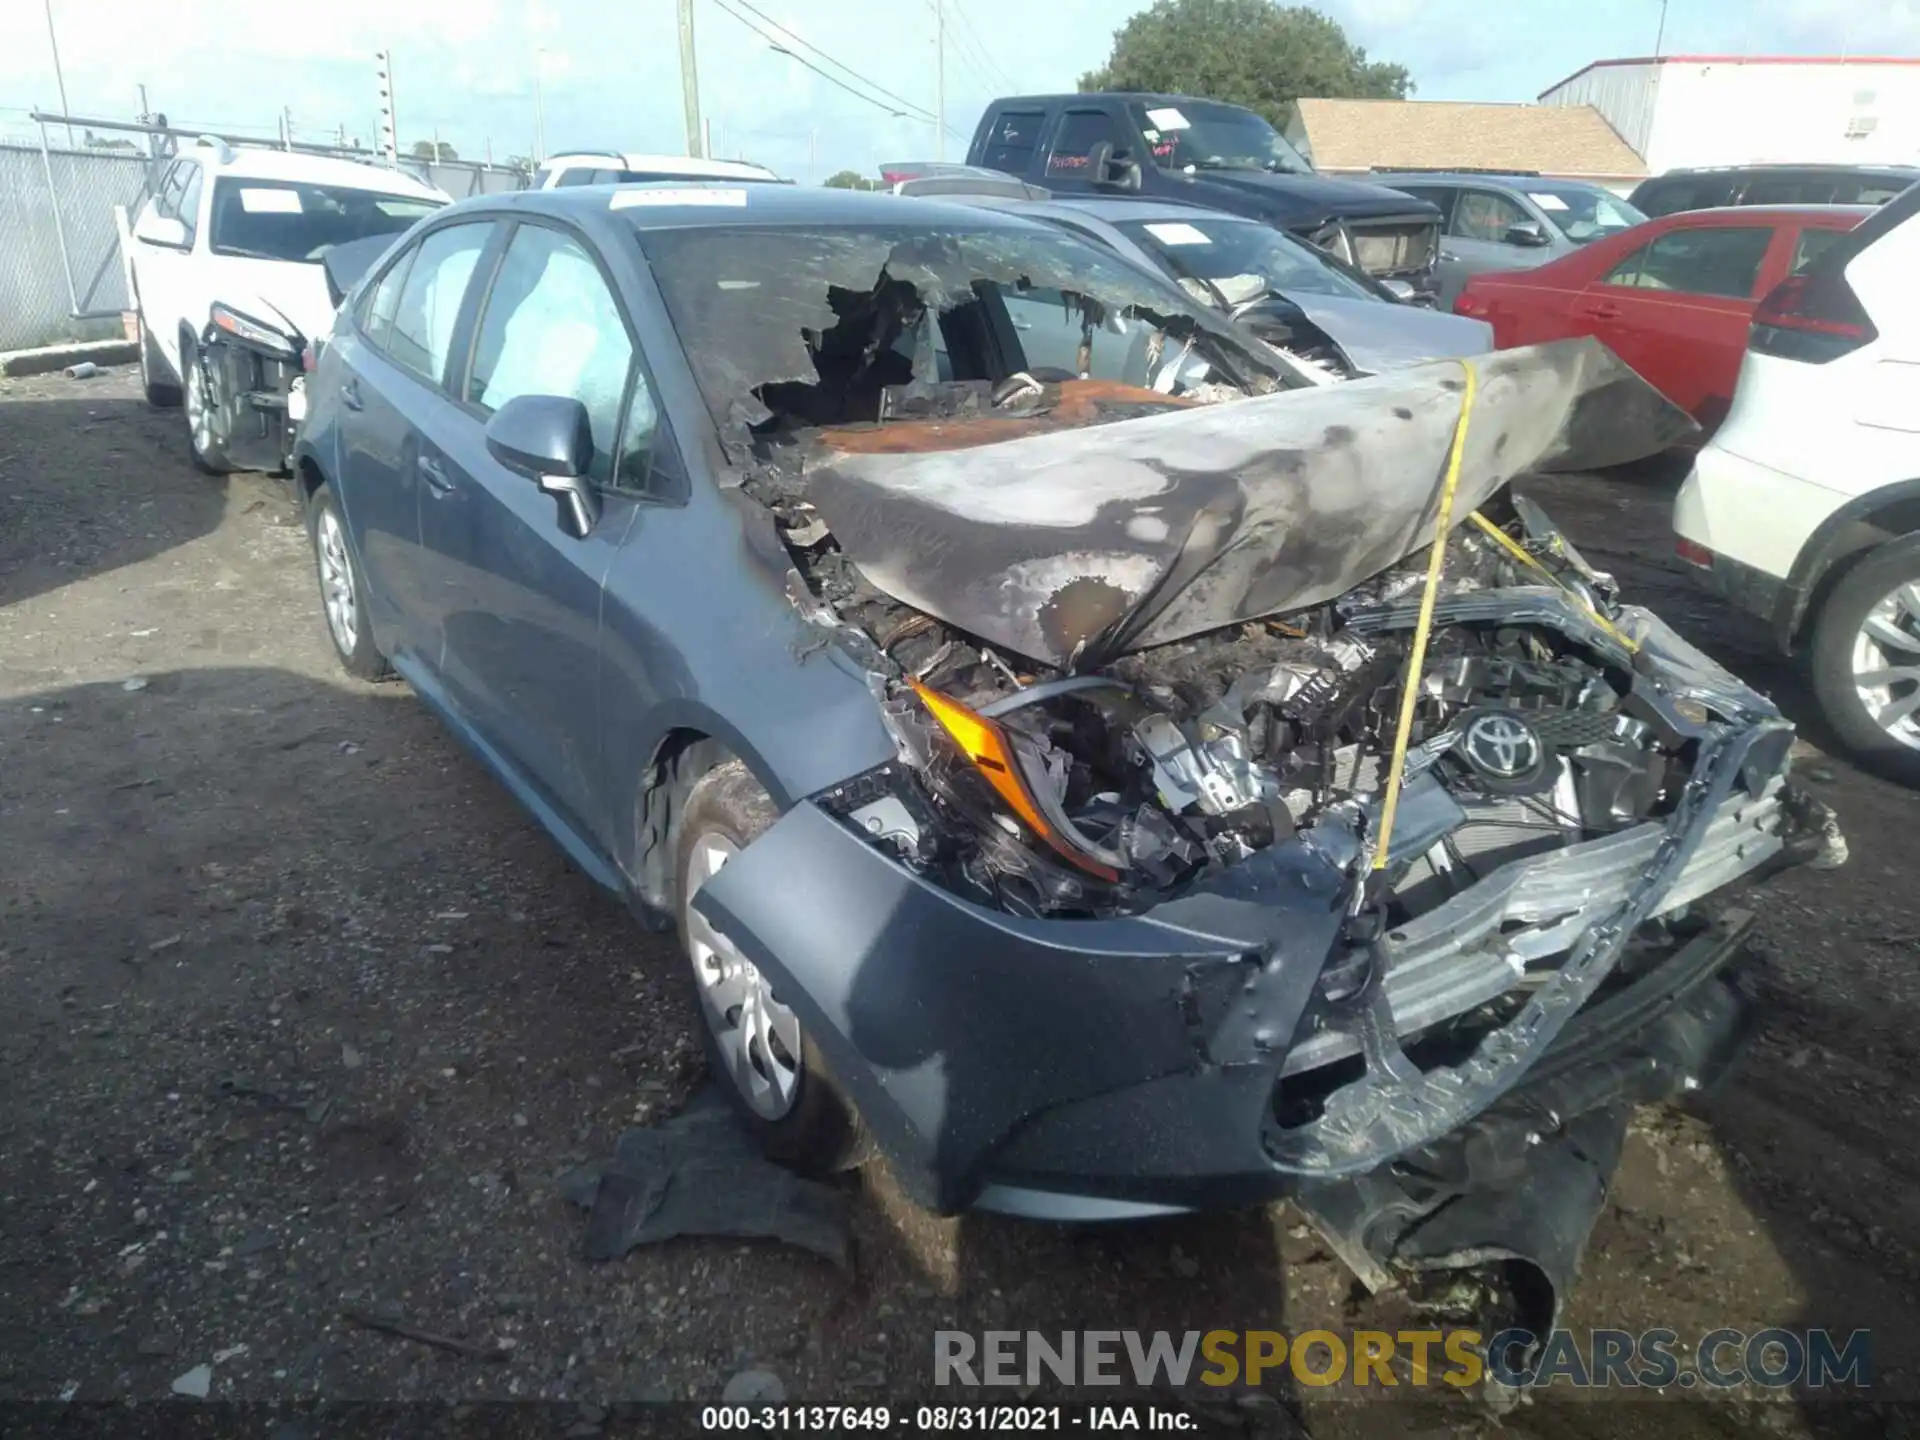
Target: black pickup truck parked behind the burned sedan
<point x="1209" y="155"/>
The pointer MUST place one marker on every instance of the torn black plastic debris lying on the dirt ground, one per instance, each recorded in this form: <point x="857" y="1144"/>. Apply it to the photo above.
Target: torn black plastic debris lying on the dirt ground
<point x="702" y="1174"/>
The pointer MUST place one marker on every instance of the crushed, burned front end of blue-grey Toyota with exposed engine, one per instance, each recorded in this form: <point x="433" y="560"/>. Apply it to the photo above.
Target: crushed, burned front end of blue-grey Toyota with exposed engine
<point x="1124" y="926"/>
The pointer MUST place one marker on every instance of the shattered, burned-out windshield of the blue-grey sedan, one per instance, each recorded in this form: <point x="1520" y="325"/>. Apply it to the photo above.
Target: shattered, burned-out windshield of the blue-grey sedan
<point x="819" y="325"/>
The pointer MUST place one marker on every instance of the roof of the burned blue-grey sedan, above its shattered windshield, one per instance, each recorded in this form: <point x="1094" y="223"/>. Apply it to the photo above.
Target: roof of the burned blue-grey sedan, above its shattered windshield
<point x="698" y="204"/>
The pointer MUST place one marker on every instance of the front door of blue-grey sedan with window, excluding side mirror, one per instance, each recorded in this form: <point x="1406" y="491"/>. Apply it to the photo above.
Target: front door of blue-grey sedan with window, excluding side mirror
<point x="517" y="596"/>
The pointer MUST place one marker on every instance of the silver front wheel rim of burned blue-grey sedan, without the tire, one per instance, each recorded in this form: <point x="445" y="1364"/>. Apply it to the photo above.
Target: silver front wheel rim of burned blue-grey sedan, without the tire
<point x="759" y="1038"/>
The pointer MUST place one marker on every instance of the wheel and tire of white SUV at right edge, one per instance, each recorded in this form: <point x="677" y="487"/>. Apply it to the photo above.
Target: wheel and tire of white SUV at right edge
<point x="1867" y="661"/>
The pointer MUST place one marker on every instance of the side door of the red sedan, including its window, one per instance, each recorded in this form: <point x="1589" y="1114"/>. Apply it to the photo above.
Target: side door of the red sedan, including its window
<point x="1677" y="310"/>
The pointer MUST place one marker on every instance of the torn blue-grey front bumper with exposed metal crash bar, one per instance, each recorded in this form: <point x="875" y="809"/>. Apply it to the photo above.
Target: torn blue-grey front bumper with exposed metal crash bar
<point x="1059" y="1067"/>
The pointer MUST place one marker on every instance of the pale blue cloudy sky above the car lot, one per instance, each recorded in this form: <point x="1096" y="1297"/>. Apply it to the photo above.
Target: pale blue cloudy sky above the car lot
<point x="612" y="78"/>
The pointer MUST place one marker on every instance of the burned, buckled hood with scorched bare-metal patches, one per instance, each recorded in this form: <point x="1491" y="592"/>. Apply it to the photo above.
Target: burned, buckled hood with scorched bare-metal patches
<point x="1076" y="546"/>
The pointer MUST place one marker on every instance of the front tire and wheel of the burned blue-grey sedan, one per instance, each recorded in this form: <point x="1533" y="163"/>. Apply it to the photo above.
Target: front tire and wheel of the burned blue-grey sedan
<point x="769" y="1068"/>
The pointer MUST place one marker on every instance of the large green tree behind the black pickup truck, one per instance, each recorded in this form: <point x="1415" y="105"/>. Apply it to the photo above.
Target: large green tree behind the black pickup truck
<point x="1249" y="53"/>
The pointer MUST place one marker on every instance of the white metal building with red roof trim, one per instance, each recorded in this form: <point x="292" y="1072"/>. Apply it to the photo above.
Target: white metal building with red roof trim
<point x="1752" y="110"/>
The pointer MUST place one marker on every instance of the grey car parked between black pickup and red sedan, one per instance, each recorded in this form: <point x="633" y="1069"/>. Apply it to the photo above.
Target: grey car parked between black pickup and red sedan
<point x="1510" y="222"/>
